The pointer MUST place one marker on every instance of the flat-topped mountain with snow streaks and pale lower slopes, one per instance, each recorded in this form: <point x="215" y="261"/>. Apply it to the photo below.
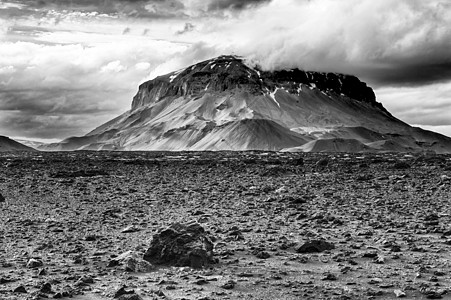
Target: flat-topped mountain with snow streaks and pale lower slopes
<point x="227" y="104"/>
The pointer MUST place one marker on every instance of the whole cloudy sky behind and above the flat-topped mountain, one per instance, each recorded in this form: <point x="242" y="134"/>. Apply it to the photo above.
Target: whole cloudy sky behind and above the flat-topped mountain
<point x="67" y="66"/>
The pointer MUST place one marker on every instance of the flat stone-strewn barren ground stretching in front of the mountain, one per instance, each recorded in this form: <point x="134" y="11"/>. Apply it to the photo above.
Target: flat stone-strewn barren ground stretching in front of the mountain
<point x="357" y="226"/>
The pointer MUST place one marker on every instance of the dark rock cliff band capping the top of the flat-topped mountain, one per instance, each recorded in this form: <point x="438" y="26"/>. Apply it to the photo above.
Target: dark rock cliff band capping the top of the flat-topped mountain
<point x="230" y="72"/>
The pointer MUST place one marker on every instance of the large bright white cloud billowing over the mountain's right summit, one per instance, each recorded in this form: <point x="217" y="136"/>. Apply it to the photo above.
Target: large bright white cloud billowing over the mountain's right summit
<point x="366" y="37"/>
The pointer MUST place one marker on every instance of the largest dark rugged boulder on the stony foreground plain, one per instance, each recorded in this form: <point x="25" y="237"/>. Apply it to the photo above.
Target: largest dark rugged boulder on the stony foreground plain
<point x="181" y="245"/>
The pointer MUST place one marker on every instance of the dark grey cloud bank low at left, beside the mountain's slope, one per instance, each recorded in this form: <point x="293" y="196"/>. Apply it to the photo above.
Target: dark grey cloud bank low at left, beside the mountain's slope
<point x="54" y="114"/>
